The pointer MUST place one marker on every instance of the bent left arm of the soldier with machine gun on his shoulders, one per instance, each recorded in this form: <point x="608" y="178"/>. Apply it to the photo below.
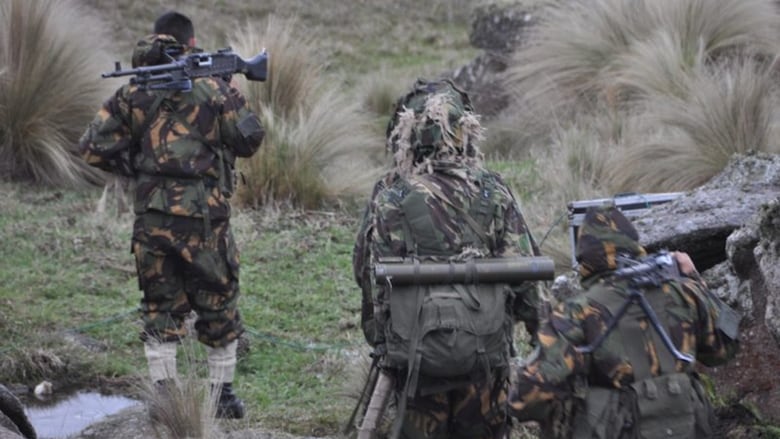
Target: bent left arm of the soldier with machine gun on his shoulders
<point x="107" y="142"/>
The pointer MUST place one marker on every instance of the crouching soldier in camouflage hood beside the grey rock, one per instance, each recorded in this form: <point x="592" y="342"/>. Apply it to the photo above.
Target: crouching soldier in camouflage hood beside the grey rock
<point x="605" y="371"/>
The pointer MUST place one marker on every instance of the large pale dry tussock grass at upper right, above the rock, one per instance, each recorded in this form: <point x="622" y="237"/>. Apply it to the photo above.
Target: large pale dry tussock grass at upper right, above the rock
<point x="640" y="95"/>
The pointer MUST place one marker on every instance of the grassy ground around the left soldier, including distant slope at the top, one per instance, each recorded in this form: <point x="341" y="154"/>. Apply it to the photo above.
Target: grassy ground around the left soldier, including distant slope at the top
<point x="67" y="285"/>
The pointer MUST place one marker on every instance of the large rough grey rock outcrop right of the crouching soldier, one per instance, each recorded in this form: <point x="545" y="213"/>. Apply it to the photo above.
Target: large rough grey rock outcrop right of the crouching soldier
<point x="731" y="228"/>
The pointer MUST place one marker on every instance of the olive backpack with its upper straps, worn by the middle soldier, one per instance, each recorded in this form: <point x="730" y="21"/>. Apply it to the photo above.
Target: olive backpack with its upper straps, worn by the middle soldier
<point x="445" y="330"/>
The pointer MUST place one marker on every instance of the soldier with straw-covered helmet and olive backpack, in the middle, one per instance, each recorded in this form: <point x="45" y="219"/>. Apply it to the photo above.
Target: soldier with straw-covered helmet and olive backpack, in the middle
<point x="445" y="346"/>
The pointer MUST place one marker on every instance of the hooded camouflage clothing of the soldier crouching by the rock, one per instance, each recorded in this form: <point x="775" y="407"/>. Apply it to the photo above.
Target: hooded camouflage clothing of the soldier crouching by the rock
<point x="552" y="387"/>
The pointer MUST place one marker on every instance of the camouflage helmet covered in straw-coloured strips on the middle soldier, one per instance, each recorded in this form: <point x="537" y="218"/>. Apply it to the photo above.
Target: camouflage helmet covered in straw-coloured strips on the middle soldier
<point x="433" y="121"/>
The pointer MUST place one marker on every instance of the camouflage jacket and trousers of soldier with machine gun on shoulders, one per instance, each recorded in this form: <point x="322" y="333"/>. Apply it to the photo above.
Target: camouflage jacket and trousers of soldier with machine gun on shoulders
<point x="179" y="147"/>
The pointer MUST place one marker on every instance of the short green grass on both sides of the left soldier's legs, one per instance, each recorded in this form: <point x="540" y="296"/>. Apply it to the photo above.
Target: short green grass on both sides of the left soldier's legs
<point x="67" y="285"/>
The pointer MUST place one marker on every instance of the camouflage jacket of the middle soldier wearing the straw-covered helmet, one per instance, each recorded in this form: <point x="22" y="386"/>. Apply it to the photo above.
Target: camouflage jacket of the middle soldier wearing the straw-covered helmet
<point x="381" y="234"/>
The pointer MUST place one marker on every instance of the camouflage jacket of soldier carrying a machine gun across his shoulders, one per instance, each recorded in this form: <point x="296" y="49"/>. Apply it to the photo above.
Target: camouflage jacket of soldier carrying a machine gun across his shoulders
<point x="182" y="156"/>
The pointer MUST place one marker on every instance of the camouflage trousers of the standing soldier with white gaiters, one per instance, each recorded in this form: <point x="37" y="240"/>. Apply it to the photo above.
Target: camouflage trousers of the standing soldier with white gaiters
<point x="182" y="266"/>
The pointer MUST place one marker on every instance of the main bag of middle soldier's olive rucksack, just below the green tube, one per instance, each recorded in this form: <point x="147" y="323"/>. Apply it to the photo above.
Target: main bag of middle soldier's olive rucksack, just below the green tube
<point x="459" y="329"/>
